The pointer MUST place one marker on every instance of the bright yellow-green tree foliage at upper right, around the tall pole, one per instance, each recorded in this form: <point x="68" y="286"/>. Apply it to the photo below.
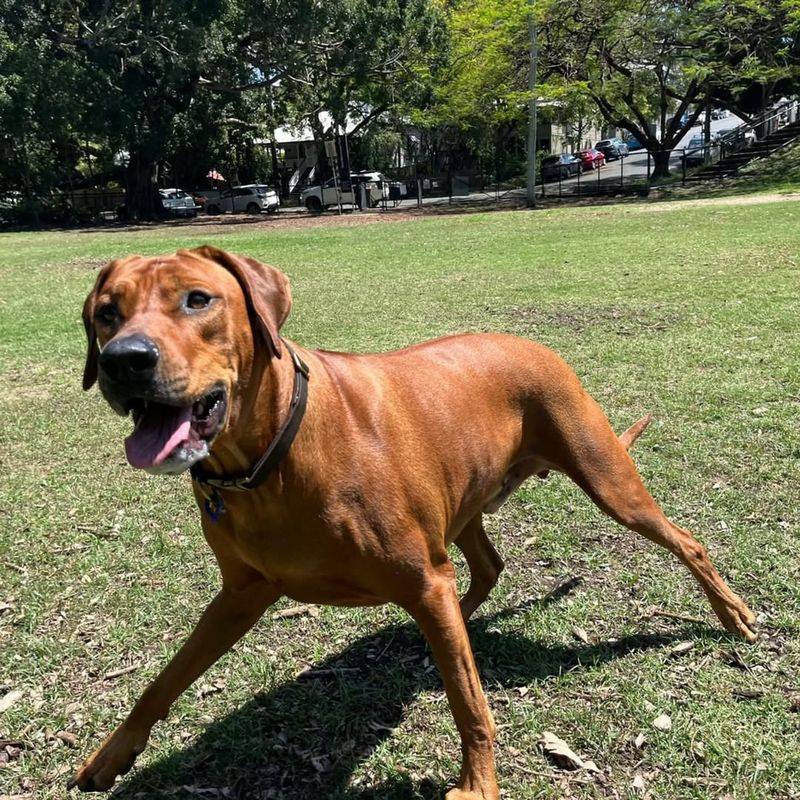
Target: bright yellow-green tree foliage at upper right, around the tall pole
<point x="640" y="65"/>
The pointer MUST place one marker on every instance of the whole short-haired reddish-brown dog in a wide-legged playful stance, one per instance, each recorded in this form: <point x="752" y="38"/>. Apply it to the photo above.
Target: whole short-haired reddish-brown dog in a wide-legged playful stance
<point x="397" y="456"/>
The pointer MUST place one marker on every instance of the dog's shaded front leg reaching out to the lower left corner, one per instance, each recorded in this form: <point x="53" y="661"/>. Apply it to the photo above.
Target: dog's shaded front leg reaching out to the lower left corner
<point x="228" y="617"/>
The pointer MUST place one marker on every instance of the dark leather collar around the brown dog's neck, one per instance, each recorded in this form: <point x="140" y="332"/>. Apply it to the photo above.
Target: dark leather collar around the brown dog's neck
<point x="278" y="447"/>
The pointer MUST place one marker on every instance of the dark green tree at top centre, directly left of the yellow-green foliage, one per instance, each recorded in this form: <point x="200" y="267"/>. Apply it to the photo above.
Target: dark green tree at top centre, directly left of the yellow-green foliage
<point x="362" y="60"/>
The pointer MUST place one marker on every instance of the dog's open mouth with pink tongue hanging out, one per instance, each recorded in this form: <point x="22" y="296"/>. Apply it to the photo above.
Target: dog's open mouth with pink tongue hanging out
<point x="164" y="433"/>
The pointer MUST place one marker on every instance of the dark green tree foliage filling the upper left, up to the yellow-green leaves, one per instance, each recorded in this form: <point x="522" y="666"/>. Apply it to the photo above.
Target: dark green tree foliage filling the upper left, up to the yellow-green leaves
<point x="189" y="85"/>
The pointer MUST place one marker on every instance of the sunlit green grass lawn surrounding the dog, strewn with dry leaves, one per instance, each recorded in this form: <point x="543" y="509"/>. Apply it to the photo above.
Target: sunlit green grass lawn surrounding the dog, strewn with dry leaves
<point x="690" y="312"/>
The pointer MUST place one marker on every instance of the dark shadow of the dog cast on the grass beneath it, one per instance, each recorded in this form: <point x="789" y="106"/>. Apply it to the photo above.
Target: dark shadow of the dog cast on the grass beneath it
<point x="305" y="738"/>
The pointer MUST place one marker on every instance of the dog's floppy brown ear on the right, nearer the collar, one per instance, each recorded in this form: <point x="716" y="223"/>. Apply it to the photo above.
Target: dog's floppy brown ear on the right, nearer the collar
<point x="266" y="290"/>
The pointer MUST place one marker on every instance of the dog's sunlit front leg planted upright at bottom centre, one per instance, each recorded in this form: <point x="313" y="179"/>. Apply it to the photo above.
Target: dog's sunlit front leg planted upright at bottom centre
<point x="438" y="614"/>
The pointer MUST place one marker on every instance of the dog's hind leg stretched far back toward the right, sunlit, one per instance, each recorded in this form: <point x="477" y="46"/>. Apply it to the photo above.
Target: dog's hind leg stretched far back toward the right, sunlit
<point x="597" y="460"/>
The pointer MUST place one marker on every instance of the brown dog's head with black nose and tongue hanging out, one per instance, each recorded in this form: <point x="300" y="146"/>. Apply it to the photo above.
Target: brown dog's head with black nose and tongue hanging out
<point x="171" y="338"/>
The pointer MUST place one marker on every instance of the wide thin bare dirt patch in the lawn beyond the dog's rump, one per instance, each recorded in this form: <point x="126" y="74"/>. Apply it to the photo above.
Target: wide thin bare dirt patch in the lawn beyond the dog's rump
<point x="618" y="319"/>
